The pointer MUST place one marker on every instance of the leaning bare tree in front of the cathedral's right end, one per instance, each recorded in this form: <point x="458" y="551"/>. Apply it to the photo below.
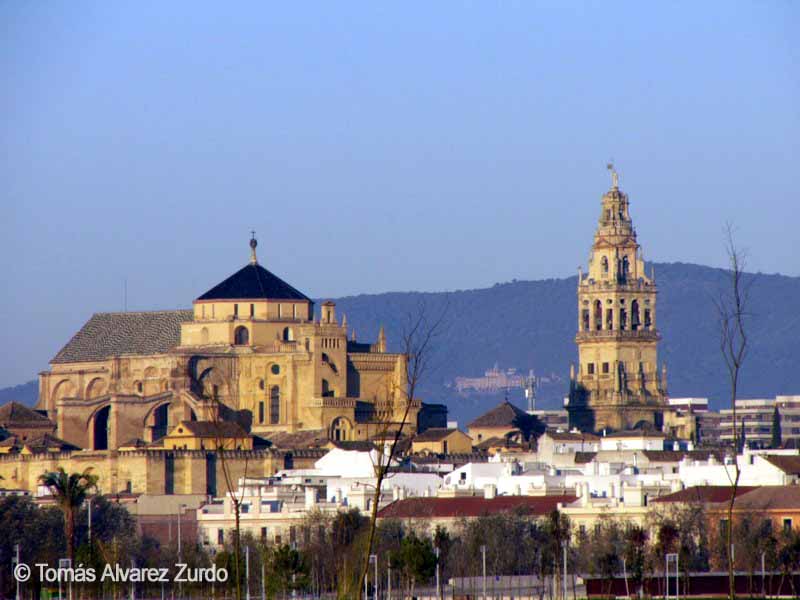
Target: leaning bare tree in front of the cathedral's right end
<point x="417" y="341"/>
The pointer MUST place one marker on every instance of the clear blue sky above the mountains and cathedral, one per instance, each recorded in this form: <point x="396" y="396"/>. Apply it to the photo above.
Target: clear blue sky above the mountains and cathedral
<point x="376" y="146"/>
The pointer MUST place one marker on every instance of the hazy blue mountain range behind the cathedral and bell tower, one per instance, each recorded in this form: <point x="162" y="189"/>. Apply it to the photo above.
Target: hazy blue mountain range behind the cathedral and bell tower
<point x="531" y="325"/>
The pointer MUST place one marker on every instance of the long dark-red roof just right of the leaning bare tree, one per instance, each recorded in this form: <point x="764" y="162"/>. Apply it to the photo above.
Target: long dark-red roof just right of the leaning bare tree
<point x="472" y="506"/>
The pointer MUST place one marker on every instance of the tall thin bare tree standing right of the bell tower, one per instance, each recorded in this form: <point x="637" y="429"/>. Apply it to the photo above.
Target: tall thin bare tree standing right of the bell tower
<point x="732" y="309"/>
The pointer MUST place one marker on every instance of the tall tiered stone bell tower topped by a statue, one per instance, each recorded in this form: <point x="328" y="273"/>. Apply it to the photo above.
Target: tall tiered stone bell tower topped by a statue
<point x="617" y="385"/>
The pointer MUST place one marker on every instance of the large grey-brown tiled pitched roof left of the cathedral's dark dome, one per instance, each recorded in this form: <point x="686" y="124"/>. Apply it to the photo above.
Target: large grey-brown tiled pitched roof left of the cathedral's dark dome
<point x="113" y="334"/>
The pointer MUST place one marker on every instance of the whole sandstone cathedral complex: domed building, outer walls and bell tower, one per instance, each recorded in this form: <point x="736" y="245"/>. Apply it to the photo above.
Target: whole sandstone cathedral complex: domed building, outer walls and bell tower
<point x="147" y="399"/>
